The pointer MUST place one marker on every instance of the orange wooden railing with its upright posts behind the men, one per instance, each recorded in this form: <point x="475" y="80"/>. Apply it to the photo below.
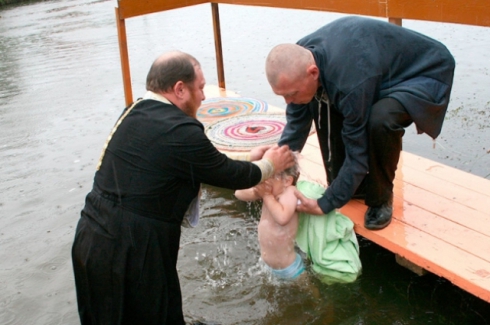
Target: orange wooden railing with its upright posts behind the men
<point x="471" y="12"/>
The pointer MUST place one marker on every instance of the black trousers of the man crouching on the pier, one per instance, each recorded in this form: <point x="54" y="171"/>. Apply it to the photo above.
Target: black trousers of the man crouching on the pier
<point x="386" y="127"/>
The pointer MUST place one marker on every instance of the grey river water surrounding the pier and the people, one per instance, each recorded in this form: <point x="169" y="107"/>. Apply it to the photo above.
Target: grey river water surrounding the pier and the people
<point x="60" y="93"/>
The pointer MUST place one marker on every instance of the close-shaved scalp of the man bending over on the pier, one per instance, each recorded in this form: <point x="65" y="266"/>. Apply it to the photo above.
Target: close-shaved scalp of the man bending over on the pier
<point x="288" y="61"/>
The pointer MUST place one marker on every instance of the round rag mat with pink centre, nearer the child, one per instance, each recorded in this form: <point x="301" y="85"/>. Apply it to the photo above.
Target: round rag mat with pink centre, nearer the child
<point x="244" y="132"/>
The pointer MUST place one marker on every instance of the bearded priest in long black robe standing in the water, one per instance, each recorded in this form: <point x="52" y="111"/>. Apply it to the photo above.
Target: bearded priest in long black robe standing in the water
<point x="149" y="175"/>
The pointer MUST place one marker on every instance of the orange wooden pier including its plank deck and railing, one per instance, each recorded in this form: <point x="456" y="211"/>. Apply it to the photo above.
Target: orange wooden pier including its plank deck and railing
<point x="441" y="214"/>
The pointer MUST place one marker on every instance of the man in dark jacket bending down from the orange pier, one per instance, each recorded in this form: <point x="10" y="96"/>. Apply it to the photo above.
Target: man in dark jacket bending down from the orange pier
<point x="362" y="81"/>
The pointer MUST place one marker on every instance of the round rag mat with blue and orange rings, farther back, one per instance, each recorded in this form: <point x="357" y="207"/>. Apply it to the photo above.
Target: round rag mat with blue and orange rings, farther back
<point x="220" y="107"/>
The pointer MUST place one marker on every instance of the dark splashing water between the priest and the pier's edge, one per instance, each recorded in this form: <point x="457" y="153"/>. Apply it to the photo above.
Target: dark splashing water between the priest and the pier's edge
<point x="223" y="280"/>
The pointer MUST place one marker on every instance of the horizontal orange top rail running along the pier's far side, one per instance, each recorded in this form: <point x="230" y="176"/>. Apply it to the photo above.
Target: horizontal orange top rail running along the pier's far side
<point x="472" y="12"/>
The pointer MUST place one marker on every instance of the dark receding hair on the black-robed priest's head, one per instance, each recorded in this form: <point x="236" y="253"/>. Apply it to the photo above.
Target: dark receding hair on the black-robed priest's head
<point x="168" y="69"/>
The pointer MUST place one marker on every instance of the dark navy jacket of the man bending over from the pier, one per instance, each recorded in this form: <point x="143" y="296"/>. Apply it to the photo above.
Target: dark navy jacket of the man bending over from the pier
<point x="361" y="61"/>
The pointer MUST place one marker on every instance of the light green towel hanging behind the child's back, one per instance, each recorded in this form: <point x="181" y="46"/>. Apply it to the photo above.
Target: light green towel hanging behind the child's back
<point x="329" y="241"/>
